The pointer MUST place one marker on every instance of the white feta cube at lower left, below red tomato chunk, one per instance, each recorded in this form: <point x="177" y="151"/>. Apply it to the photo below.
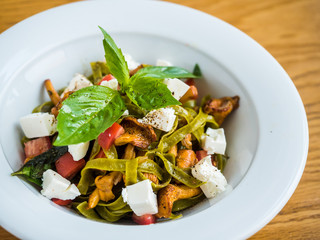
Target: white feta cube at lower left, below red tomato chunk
<point x="55" y="186"/>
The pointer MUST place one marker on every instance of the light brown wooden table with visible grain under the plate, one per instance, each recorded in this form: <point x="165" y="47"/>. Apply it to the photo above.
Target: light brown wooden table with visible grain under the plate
<point x="290" y="31"/>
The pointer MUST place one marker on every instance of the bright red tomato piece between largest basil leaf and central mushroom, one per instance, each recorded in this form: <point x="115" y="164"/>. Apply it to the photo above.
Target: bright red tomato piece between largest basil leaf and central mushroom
<point x="106" y="139"/>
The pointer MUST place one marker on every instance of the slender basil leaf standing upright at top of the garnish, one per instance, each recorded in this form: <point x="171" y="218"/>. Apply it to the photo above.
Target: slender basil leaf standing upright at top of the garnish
<point x="115" y="59"/>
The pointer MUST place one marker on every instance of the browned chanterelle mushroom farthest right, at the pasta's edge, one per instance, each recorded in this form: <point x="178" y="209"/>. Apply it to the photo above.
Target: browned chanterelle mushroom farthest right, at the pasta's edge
<point x="220" y="108"/>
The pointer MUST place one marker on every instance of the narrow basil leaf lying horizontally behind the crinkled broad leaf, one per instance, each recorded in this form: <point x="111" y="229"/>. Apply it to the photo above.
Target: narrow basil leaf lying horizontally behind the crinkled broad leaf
<point x="163" y="72"/>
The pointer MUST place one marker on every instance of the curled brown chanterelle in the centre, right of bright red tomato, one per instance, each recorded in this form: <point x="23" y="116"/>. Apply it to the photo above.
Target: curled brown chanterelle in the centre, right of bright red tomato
<point x="138" y="134"/>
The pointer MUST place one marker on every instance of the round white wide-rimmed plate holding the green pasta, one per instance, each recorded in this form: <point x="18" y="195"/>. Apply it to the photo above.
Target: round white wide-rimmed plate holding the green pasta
<point x="267" y="136"/>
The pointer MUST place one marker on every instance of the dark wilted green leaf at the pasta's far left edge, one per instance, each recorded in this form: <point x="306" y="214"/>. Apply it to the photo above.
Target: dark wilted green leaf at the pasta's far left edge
<point x="34" y="169"/>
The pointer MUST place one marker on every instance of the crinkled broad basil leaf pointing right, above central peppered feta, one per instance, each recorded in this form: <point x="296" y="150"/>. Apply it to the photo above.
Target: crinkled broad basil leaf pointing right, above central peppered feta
<point x="150" y="93"/>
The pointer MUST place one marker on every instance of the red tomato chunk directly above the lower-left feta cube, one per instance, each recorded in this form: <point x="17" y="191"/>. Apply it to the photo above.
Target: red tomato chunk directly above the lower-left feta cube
<point x="67" y="167"/>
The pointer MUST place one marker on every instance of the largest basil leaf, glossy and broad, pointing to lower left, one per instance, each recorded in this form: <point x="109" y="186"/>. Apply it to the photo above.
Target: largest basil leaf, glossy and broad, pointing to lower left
<point x="86" y="113"/>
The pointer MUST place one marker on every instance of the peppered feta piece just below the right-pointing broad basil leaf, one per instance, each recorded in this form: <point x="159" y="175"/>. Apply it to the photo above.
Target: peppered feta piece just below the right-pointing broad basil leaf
<point x="162" y="119"/>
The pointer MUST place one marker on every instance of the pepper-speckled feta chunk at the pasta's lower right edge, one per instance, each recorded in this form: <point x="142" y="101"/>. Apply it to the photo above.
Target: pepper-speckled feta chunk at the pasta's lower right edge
<point x="206" y="172"/>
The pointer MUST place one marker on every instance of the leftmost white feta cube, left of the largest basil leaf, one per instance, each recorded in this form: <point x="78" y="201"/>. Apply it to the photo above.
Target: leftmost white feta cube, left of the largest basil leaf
<point x="38" y="125"/>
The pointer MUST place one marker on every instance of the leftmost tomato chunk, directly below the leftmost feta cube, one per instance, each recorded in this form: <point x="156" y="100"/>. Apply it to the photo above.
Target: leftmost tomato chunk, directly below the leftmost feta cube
<point x="37" y="146"/>
